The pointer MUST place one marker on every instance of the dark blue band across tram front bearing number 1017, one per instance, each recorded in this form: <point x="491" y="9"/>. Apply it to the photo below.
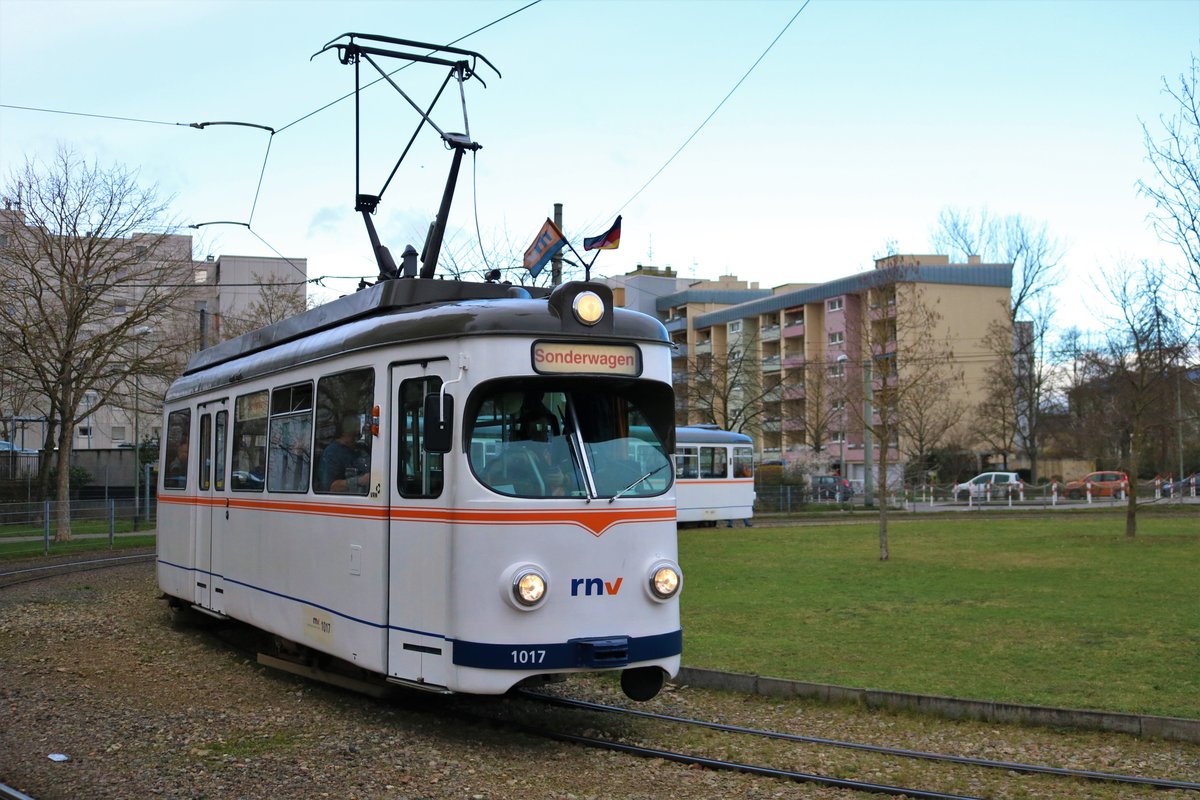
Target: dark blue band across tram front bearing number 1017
<point x="562" y="655"/>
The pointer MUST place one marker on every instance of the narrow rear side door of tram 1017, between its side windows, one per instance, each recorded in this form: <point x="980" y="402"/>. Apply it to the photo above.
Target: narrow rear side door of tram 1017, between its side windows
<point x="212" y="504"/>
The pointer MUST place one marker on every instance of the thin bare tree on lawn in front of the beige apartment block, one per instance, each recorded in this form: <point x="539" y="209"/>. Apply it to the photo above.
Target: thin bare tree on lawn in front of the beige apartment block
<point x="903" y="350"/>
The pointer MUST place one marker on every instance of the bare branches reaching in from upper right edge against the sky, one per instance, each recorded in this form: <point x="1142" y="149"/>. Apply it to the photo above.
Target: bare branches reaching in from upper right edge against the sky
<point x="1175" y="189"/>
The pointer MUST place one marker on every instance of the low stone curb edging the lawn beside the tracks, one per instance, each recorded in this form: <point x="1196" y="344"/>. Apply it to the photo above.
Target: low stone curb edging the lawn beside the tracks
<point x="1174" y="729"/>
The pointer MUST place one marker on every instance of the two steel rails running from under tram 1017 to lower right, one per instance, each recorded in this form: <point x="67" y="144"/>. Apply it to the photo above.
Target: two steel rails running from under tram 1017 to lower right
<point x="862" y="786"/>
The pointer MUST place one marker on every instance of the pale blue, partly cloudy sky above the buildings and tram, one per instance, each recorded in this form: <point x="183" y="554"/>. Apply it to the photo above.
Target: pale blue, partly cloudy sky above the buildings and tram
<point x="859" y="125"/>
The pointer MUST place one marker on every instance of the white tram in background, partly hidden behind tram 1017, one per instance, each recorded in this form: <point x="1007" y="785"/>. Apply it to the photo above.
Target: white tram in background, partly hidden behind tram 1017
<point x="715" y="476"/>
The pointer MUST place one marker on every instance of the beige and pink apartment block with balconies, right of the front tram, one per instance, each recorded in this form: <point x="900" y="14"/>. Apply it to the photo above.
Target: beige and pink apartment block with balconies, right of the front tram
<point x="794" y="346"/>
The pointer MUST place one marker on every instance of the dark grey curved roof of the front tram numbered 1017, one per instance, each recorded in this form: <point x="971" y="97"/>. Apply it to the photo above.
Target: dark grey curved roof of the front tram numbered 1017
<point x="409" y="311"/>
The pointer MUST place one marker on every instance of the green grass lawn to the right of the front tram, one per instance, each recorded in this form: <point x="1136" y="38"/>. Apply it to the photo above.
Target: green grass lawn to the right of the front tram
<point x="1060" y="610"/>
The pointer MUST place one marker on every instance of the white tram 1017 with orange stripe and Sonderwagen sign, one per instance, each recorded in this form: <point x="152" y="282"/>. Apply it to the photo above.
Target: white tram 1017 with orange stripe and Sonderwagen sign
<point x="437" y="483"/>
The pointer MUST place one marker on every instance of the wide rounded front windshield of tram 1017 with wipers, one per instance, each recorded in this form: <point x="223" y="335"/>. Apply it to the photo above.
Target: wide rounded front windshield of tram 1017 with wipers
<point x="541" y="438"/>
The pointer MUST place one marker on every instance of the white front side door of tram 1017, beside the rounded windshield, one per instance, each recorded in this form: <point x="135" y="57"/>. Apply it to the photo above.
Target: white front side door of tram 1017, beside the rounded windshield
<point x="419" y="532"/>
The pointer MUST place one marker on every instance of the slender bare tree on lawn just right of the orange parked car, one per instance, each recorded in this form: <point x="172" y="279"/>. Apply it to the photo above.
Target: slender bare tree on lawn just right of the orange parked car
<point x="1137" y="366"/>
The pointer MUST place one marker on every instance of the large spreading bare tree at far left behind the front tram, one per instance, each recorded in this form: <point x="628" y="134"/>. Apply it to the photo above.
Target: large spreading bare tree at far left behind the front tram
<point x="82" y="273"/>
